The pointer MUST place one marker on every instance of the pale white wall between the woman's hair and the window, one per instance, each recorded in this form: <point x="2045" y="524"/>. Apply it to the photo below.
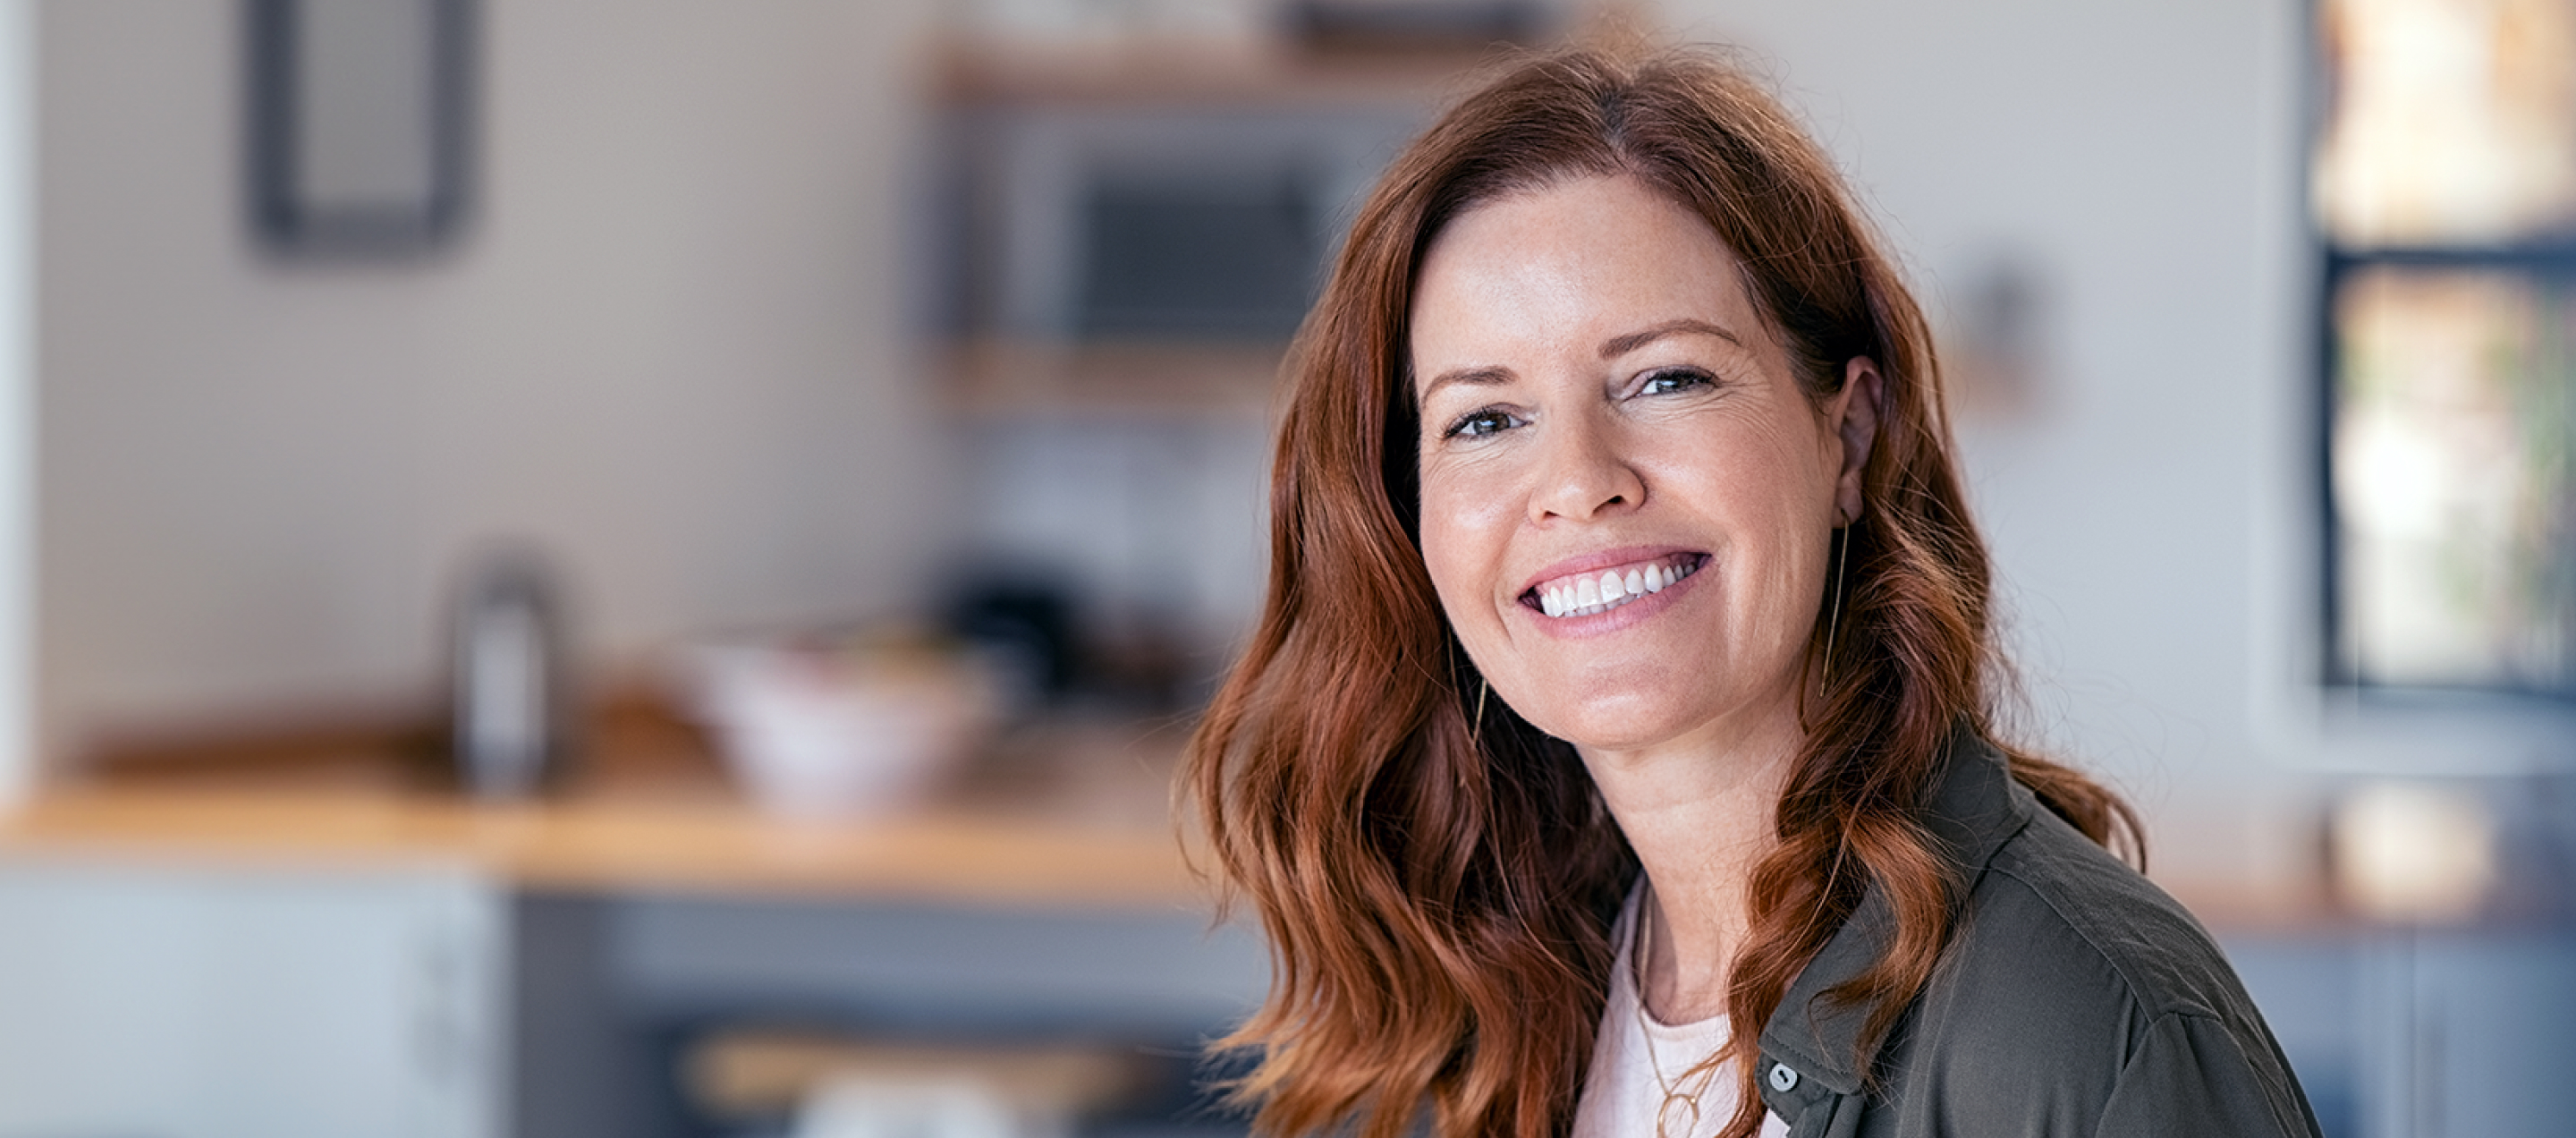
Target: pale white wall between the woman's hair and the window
<point x="2150" y="508"/>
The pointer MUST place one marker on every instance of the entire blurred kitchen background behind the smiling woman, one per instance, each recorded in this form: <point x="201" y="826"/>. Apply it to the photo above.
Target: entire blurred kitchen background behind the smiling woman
<point x="638" y="568"/>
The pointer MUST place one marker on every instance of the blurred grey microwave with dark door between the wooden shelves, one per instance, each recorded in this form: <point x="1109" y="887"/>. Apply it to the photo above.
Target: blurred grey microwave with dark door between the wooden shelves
<point x="1148" y="223"/>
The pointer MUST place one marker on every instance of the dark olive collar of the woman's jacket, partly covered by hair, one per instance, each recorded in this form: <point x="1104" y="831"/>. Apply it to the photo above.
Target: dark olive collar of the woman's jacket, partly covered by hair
<point x="1972" y="812"/>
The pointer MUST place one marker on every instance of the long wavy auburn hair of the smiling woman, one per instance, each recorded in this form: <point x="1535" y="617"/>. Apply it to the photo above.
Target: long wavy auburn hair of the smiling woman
<point x="1439" y="877"/>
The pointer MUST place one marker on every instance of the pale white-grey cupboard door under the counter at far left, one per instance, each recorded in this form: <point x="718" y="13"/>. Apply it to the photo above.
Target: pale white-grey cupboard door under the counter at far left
<point x="164" y="1003"/>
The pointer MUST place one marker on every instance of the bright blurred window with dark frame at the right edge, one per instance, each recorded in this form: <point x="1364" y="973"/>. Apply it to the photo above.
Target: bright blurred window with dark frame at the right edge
<point x="2446" y="202"/>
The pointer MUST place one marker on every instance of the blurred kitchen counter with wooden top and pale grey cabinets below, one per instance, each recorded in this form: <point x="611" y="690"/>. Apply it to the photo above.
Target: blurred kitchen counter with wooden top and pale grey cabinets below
<point x="336" y="949"/>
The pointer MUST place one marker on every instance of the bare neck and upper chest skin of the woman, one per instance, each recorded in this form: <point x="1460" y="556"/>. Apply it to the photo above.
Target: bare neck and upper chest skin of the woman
<point x="1701" y="815"/>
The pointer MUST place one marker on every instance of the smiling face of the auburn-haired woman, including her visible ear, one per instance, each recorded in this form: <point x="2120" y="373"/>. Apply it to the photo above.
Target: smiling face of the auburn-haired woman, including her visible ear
<point x="1627" y="498"/>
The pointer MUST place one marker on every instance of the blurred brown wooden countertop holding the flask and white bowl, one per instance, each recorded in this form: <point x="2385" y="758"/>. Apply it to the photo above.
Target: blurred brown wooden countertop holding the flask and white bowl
<point x="1070" y="815"/>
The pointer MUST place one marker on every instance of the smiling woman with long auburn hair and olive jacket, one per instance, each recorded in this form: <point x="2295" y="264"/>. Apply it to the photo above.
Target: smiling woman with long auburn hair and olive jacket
<point x="1627" y="676"/>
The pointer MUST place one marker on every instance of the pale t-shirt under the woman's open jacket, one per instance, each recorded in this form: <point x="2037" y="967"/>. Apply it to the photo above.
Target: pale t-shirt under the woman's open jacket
<point x="1627" y="1085"/>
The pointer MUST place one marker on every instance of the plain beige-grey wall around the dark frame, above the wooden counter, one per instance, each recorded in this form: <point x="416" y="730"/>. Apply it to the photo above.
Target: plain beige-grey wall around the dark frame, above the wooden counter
<point x="666" y="349"/>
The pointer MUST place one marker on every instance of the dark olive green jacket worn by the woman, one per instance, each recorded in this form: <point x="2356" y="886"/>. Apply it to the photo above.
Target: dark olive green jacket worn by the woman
<point x="2075" y="1000"/>
